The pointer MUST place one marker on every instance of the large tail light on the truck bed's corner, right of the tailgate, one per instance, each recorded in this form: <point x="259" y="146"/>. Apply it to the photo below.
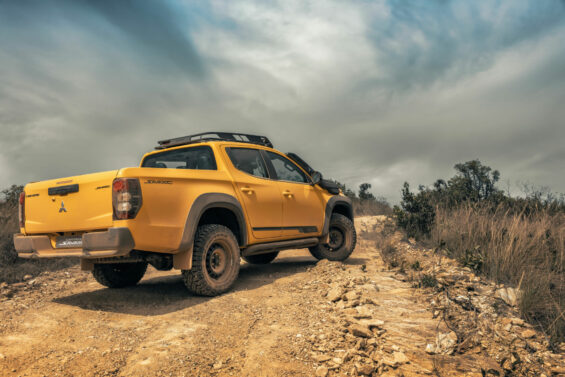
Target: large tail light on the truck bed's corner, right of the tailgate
<point x="126" y="198"/>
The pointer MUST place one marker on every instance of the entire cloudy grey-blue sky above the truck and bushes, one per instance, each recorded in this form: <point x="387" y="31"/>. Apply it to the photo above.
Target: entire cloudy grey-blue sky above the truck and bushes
<point x="366" y="91"/>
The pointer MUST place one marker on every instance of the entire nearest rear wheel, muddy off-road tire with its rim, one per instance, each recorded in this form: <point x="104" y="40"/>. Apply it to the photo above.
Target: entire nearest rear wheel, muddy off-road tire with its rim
<point x="213" y="245"/>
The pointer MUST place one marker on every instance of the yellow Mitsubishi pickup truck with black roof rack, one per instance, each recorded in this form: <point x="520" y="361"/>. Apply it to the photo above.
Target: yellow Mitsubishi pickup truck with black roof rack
<point x="197" y="203"/>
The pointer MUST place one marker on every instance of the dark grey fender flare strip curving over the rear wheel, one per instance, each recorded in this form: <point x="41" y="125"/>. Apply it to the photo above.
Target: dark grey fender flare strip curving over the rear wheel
<point x="182" y="259"/>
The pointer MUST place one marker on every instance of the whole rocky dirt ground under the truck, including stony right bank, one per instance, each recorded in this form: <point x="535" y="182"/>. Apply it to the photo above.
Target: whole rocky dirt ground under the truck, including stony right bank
<point x="392" y="309"/>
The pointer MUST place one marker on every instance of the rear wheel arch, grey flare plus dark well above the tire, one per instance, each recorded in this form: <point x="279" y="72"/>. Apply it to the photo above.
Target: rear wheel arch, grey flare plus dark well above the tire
<point x="210" y="208"/>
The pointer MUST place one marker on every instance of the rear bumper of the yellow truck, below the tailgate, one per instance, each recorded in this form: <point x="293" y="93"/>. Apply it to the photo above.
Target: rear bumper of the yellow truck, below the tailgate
<point x="114" y="242"/>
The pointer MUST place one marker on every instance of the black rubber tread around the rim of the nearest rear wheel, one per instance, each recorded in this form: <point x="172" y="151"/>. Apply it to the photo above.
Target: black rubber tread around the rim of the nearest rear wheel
<point x="194" y="279"/>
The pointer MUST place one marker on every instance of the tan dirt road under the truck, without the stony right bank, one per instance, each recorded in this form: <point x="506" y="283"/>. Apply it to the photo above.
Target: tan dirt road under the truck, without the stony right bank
<point x="279" y="320"/>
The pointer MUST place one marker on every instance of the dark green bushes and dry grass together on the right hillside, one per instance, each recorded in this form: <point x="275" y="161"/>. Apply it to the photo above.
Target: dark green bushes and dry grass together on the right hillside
<point x="515" y="241"/>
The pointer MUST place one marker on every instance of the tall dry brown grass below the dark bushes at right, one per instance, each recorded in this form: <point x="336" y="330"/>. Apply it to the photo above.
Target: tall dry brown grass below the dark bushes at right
<point x="527" y="252"/>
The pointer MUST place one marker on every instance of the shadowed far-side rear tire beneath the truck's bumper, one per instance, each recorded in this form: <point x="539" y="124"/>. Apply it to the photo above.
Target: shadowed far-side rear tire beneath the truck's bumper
<point x="119" y="275"/>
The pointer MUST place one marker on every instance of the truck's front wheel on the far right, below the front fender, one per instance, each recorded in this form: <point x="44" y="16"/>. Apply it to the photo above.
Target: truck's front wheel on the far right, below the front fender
<point x="340" y="226"/>
